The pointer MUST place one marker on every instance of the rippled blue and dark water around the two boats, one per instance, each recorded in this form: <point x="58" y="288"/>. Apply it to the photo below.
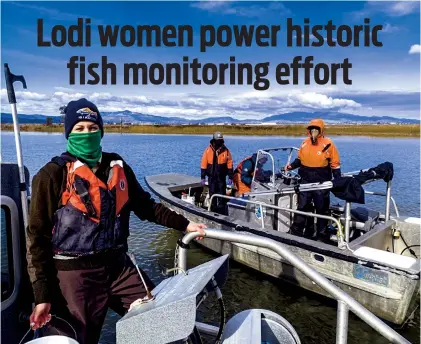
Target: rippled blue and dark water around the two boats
<point x="313" y="317"/>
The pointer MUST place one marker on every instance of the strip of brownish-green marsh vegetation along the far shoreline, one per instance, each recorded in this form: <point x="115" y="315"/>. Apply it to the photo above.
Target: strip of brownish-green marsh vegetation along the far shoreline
<point x="379" y="130"/>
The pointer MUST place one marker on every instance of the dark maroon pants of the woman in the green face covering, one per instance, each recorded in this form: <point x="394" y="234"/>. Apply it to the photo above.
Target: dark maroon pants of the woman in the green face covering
<point x="89" y="292"/>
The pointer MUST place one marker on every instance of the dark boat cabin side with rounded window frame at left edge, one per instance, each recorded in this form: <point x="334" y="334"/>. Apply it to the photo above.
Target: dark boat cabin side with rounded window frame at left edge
<point x="16" y="291"/>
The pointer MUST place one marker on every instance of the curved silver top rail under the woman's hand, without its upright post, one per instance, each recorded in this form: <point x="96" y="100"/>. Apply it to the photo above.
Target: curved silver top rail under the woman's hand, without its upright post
<point x="298" y="263"/>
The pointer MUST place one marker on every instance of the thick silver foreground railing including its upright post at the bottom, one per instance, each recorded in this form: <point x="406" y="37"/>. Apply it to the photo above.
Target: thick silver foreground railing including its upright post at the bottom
<point x="345" y="301"/>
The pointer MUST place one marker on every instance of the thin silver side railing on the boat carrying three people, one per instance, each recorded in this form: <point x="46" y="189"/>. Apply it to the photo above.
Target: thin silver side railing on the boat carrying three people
<point x="341" y="242"/>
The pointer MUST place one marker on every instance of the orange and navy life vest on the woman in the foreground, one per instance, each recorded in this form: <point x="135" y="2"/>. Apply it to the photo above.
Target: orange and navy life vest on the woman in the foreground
<point x="88" y="221"/>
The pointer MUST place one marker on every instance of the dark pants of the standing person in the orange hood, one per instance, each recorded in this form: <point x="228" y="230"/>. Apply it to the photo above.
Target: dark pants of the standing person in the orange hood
<point x="303" y="225"/>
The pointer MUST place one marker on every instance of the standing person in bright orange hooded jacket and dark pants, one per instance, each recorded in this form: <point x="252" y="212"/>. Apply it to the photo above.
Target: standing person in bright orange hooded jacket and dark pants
<point x="318" y="161"/>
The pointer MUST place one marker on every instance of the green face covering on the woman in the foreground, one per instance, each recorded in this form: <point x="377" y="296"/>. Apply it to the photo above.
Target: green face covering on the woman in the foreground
<point x="85" y="146"/>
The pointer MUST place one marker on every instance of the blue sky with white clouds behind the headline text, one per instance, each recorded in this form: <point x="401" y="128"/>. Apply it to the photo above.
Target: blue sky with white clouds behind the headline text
<point x="385" y="80"/>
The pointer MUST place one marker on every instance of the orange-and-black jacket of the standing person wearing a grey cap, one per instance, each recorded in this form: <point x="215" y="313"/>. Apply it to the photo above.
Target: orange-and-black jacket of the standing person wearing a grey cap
<point x="216" y="164"/>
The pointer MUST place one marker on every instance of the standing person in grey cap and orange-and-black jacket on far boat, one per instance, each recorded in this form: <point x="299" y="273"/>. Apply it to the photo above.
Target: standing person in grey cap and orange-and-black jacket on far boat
<point x="217" y="165"/>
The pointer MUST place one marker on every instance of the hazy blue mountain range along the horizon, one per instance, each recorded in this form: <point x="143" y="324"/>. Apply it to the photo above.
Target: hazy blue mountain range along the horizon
<point x="127" y="116"/>
